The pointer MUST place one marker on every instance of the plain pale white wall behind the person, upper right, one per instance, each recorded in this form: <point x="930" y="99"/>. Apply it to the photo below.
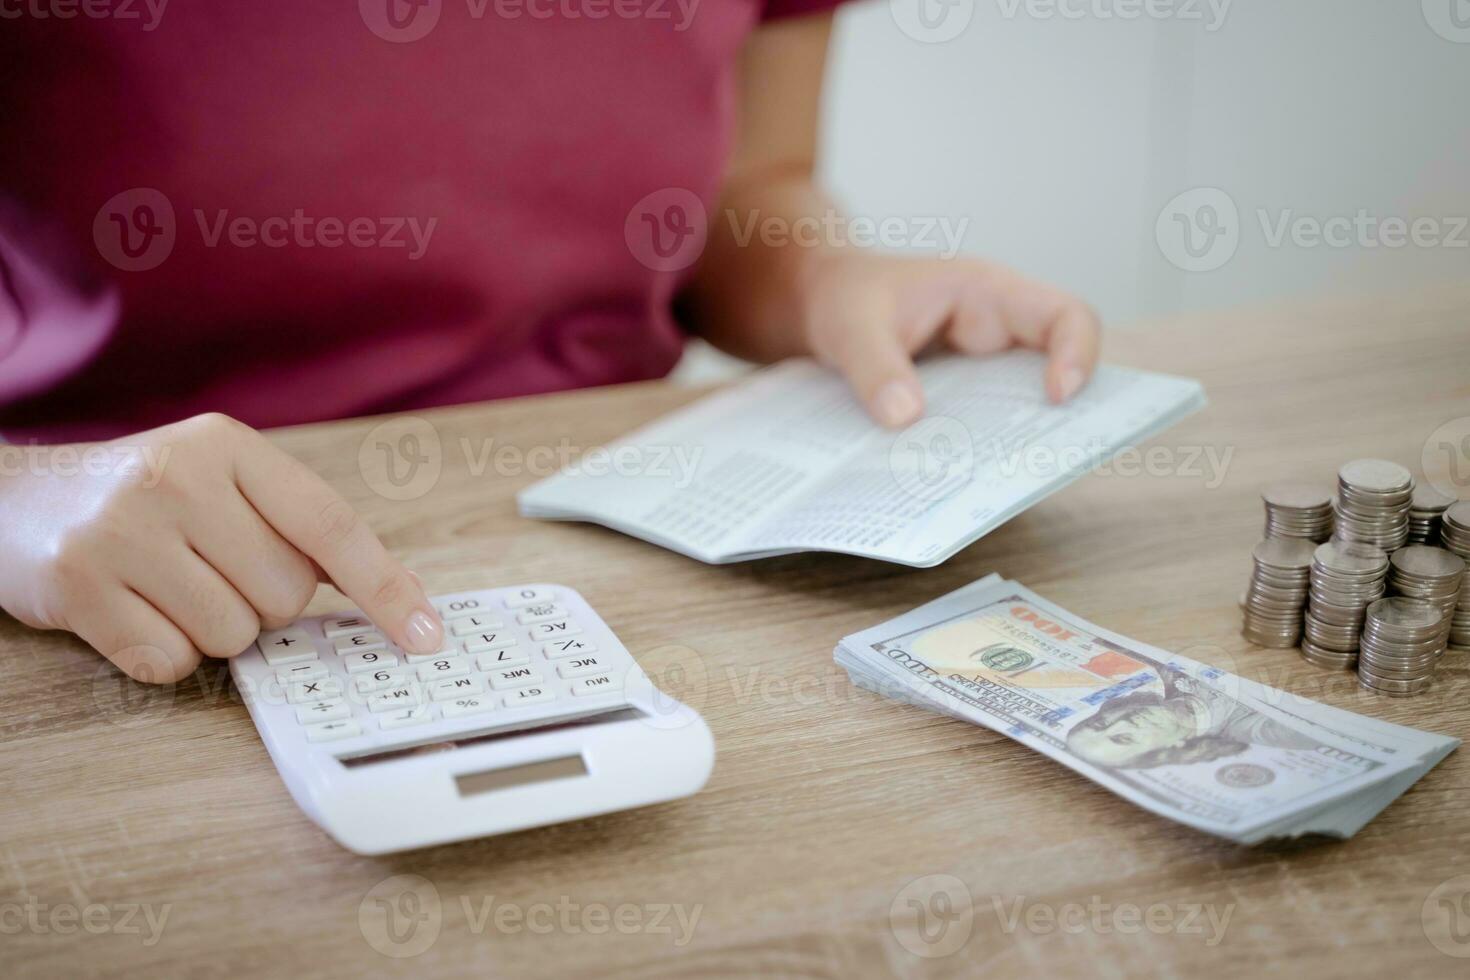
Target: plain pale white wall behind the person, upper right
<point x="1062" y="130"/>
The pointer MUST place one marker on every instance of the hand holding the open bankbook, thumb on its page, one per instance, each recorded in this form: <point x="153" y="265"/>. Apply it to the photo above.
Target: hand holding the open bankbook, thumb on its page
<point x="870" y="315"/>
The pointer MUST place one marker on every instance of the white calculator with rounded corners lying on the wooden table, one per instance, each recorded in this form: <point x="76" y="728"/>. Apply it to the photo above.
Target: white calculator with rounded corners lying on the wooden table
<point x="533" y="713"/>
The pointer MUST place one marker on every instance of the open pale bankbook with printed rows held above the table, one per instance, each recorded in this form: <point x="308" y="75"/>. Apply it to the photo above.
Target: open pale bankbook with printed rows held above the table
<point x="787" y="461"/>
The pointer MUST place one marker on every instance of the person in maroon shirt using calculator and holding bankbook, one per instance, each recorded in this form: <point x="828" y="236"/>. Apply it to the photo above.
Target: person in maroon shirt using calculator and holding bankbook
<point x="227" y="217"/>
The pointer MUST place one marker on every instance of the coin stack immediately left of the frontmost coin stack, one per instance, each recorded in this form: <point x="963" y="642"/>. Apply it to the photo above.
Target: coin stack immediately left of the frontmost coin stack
<point x="1346" y="580"/>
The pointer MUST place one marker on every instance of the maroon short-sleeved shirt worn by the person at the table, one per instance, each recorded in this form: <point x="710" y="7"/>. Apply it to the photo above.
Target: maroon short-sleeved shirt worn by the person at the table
<point x="292" y="211"/>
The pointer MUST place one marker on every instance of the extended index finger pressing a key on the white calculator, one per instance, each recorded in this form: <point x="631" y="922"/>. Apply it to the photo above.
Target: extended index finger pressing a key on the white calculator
<point x="326" y="528"/>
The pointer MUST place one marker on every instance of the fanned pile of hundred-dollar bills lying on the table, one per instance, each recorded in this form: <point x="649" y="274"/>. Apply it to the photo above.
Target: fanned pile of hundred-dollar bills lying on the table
<point x="1183" y="740"/>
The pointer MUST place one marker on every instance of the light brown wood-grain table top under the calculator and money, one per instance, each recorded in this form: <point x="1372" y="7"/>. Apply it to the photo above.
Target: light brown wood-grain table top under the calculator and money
<point x="828" y="807"/>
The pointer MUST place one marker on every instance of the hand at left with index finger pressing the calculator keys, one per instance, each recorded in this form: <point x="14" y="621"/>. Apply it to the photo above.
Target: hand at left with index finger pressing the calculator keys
<point x="189" y="543"/>
